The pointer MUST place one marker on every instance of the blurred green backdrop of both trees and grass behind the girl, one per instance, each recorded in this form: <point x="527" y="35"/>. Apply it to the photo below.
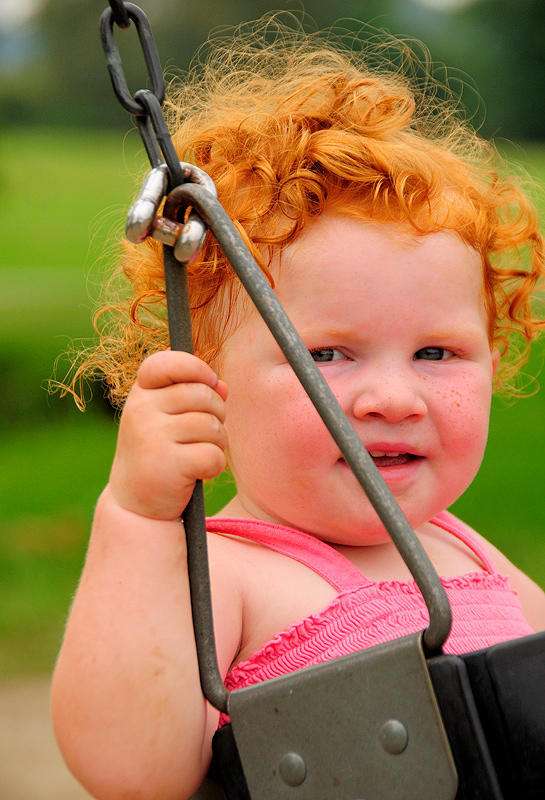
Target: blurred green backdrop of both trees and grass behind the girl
<point x="68" y="160"/>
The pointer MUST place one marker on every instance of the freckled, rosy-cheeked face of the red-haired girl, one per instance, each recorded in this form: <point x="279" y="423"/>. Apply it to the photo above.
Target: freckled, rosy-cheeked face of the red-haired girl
<point x="398" y="328"/>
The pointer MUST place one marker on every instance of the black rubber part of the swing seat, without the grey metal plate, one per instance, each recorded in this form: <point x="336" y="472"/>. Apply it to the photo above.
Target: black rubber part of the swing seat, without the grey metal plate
<point x="492" y="704"/>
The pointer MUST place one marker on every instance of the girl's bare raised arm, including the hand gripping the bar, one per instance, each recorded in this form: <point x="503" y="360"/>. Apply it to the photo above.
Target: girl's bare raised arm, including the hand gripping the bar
<point x="127" y="704"/>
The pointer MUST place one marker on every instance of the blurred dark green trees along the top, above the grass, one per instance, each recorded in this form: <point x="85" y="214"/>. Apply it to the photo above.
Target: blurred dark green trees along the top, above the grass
<point x="54" y="67"/>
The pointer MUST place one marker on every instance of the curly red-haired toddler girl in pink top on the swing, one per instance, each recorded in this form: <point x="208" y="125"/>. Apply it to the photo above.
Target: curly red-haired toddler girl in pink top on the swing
<point x="406" y="264"/>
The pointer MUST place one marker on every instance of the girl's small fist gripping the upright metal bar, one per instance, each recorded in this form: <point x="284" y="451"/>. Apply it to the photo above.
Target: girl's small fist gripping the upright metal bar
<point x="171" y="434"/>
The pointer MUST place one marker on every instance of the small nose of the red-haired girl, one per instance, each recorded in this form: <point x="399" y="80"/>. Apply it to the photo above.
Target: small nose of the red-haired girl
<point x="393" y="397"/>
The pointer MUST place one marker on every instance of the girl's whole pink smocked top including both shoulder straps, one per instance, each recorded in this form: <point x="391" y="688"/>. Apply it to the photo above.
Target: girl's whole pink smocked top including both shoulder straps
<point x="485" y="609"/>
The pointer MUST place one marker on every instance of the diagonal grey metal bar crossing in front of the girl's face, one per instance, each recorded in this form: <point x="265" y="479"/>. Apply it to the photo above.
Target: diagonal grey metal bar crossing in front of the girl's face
<point x="329" y="409"/>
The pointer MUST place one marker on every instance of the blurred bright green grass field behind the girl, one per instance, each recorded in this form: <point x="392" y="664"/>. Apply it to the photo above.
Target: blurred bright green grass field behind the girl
<point x="63" y="197"/>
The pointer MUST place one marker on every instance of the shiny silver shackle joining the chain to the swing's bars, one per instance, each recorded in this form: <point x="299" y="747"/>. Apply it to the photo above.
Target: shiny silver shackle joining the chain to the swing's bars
<point x="142" y="219"/>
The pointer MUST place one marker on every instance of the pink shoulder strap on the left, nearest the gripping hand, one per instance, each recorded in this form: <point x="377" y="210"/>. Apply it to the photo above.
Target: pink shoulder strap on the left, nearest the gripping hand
<point x="313" y="553"/>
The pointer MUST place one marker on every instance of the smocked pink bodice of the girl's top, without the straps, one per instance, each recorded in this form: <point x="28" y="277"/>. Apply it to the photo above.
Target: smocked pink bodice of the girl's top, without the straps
<point x="485" y="612"/>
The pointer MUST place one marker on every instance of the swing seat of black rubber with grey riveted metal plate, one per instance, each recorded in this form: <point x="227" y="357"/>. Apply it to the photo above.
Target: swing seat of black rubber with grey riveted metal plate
<point x="491" y="703"/>
